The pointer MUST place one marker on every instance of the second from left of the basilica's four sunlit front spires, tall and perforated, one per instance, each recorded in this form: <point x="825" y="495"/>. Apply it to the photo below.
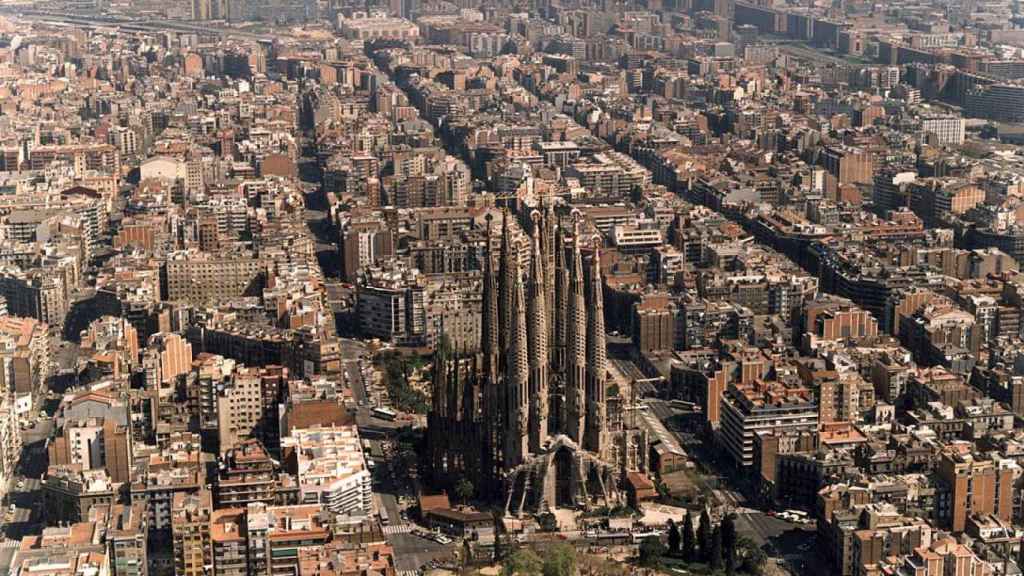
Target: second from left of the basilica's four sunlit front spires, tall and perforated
<point x="537" y="324"/>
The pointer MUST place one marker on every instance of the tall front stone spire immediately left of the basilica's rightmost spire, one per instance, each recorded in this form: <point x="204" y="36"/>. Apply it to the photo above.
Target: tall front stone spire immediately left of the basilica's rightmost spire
<point x="576" y="343"/>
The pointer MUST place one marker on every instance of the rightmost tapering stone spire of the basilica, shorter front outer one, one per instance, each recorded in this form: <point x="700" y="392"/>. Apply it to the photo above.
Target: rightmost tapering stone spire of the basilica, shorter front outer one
<point x="596" y="437"/>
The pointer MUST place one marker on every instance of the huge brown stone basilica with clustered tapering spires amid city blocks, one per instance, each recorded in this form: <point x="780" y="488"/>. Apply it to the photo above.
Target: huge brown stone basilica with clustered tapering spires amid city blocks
<point x="526" y="420"/>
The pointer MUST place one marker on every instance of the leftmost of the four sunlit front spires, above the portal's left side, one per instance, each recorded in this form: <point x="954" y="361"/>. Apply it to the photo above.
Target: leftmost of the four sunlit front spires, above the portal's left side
<point x="517" y="377"/>
